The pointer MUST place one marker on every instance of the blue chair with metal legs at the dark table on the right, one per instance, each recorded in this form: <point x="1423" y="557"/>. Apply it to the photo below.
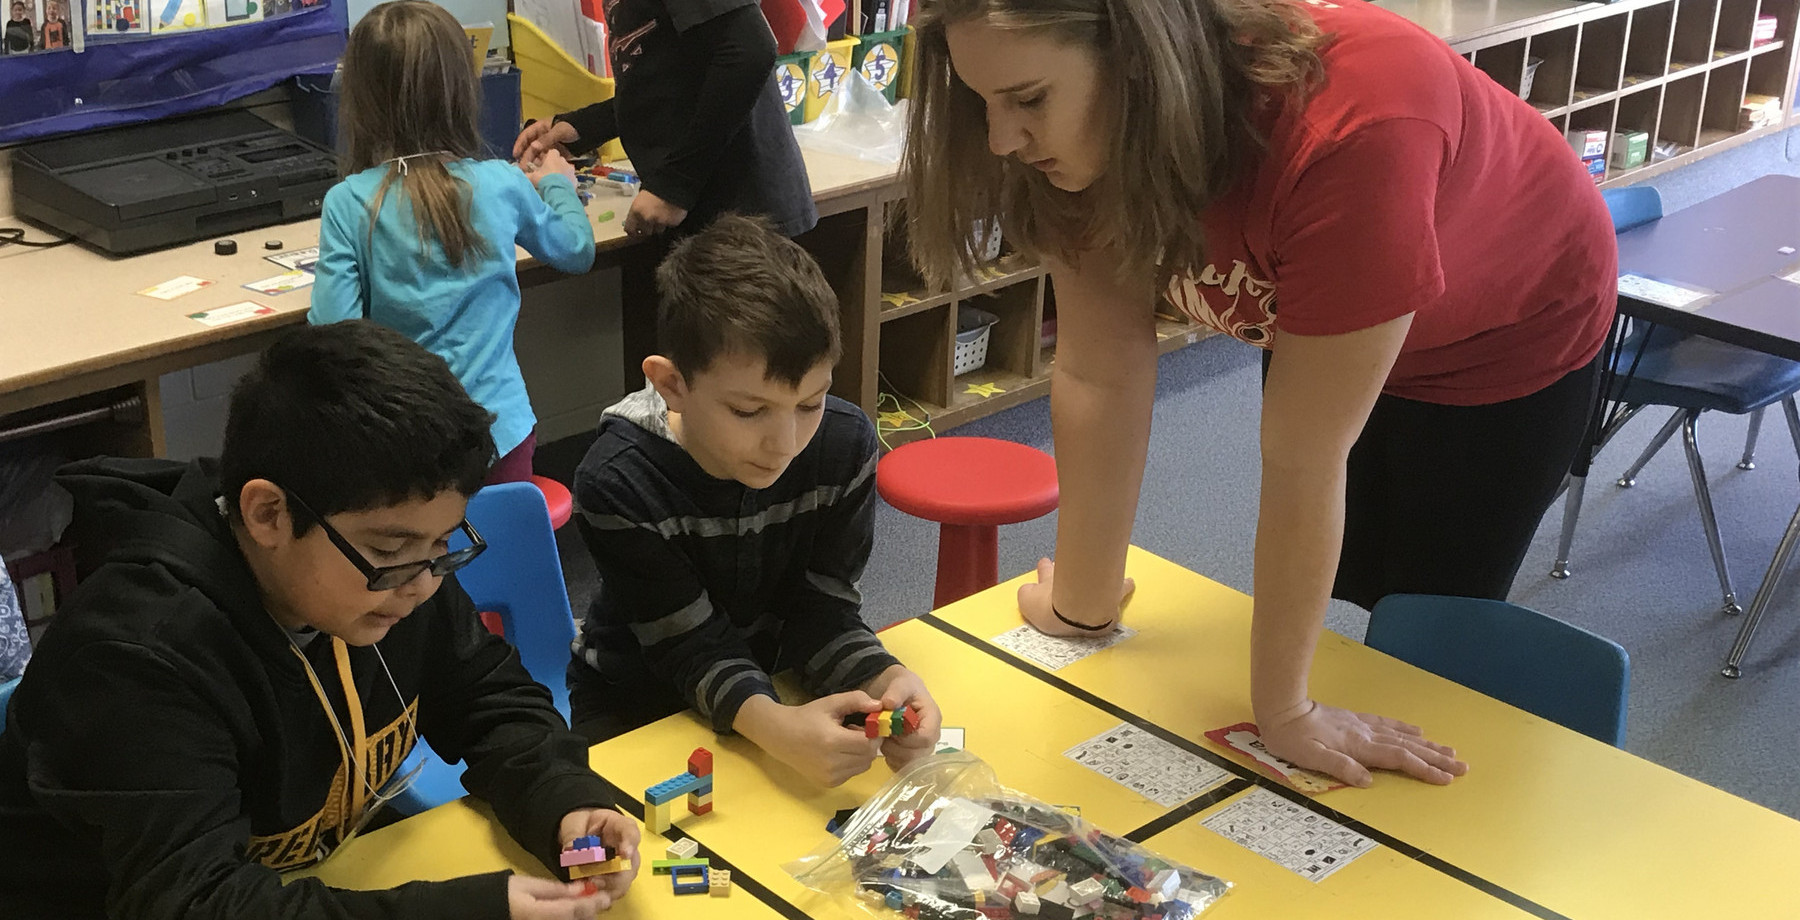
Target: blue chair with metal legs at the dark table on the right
<point x="1691" y="375"/>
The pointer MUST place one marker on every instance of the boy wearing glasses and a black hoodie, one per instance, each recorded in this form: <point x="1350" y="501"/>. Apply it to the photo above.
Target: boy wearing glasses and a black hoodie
<point x="258" y="645"/>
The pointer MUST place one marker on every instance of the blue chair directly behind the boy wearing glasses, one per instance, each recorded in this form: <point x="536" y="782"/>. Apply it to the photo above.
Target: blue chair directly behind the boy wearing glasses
<point x="521" y="581"/>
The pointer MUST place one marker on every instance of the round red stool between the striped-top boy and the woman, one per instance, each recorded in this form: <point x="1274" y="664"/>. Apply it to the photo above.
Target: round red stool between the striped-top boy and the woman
<point x="967" y="485"/>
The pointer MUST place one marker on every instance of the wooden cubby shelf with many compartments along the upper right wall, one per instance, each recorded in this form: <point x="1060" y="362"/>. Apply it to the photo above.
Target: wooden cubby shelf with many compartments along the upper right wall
<point x="1675" y="69"/>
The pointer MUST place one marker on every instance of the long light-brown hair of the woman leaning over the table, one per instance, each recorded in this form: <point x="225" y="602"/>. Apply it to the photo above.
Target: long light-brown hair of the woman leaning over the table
<point x="1183" y="78"/>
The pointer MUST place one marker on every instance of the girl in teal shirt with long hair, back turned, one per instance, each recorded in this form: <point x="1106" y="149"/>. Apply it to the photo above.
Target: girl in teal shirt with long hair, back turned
<point x="420" y="235"/>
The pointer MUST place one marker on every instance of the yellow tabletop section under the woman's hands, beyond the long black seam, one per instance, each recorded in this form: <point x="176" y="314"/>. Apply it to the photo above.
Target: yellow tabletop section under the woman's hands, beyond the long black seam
<point x="1561" y="820"/>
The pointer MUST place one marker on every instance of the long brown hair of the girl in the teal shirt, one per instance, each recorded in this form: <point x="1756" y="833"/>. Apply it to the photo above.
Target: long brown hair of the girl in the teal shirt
<point x="409" y="91"/>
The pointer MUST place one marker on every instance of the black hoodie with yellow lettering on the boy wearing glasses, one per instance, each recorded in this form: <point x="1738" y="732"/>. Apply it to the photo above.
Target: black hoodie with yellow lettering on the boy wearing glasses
<point x="168" y="753"/>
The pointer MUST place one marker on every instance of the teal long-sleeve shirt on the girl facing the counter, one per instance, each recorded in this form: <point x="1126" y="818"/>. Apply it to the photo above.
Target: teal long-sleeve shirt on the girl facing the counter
<point x="467" y="314"/>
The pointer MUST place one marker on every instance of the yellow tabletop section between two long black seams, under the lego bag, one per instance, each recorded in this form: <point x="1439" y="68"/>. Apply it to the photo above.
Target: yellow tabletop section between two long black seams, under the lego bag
<point x="768" y="816"/>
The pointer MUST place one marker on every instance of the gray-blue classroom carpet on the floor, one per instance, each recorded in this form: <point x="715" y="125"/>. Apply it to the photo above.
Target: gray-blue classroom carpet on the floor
<point x="1644" y="575"/>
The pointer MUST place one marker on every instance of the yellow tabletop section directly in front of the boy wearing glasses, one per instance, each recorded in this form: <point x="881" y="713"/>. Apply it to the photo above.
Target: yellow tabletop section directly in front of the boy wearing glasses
<point x="463" y="838"/>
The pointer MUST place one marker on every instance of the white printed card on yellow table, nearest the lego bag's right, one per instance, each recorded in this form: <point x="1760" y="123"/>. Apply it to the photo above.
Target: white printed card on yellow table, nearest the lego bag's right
<point x="1299" y="840"/>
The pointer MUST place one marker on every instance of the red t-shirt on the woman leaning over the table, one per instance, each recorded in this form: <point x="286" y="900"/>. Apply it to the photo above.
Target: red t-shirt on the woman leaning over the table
<point x="1410" y="183"/>
